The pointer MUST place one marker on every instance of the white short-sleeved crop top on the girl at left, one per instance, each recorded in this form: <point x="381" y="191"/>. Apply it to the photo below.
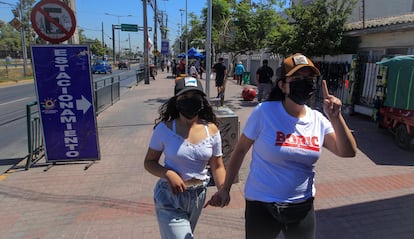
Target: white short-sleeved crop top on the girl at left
<point x="187" y="159"/>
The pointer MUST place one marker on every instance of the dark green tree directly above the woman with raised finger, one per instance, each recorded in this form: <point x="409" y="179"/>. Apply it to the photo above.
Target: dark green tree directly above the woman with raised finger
<point x="317" y="36"/>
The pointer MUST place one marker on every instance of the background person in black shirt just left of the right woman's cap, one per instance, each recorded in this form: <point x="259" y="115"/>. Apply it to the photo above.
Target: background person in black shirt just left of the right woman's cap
<point x="264" y="81"/>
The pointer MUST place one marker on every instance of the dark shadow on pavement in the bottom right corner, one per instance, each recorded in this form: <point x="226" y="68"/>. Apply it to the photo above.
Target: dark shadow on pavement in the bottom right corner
<point x="388" y="218"/>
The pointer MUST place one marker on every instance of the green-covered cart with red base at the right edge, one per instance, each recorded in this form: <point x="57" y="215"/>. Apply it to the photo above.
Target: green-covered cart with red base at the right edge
<point x="397" y="110"/>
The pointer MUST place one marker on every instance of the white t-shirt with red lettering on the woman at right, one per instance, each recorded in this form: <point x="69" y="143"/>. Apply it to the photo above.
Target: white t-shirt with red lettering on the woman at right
<point x="284" y="152"/>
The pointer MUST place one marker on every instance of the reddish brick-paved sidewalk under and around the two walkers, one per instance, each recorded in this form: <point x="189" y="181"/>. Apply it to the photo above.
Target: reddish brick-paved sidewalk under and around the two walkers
<point x="369" y="196"/>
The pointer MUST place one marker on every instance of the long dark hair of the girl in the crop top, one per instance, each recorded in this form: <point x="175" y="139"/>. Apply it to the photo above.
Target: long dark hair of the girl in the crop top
<point x="168" y="111"/>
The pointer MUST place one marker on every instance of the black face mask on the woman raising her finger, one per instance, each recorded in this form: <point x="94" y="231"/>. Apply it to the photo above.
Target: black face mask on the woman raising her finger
<point x="302" y="90"/>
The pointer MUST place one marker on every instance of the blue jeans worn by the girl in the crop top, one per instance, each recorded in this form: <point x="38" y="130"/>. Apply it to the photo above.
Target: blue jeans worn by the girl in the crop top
<point x="177" y="214"/>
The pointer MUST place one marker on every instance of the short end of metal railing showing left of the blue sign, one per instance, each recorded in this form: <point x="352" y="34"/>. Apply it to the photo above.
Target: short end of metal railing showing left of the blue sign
<point x="35" y="144"/>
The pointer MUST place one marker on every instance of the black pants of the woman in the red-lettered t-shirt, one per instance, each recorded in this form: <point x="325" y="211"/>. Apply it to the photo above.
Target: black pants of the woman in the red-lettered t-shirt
<point x="260" y="223"/>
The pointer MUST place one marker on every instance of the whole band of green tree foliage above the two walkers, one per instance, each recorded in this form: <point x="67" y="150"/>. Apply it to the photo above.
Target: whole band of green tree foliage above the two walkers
<point x="240" y="26"/>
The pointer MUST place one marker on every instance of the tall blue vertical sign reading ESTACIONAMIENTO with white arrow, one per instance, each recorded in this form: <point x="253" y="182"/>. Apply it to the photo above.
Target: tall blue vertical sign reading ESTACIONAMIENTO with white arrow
<point x="64" y="93"/>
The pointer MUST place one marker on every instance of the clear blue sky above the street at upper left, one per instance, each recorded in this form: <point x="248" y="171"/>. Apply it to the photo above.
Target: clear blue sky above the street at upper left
<point x="92" y="14"/>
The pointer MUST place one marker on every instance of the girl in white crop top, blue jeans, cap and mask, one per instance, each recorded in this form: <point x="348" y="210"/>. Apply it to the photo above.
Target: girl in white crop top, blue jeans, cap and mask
<point x="186" y="133"/>
